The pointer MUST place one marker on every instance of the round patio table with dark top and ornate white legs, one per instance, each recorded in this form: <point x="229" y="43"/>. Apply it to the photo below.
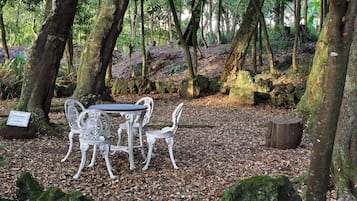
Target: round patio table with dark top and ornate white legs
<point x="129" y="112"/>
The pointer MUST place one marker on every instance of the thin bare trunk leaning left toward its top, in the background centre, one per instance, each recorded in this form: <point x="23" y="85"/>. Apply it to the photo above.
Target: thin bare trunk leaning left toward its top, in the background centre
<point x="182" y="40"/>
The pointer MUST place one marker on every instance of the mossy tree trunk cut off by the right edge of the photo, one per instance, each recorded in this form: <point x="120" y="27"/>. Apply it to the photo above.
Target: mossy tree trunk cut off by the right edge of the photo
<point x="344" y="157"/>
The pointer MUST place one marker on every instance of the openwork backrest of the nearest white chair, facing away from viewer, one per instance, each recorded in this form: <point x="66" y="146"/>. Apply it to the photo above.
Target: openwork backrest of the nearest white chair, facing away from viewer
<point x="94" y="125"/>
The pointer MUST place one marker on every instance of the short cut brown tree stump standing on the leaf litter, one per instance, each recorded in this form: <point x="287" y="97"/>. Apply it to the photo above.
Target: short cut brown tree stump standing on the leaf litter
<point x="284" y="132"/>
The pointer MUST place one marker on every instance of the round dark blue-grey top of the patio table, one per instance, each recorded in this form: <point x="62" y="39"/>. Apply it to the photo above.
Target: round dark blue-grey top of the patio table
<point x="119" y="107"/>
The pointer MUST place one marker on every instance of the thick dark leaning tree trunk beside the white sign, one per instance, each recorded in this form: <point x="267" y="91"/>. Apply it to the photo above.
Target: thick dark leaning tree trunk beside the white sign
<point x="43" y="64"/>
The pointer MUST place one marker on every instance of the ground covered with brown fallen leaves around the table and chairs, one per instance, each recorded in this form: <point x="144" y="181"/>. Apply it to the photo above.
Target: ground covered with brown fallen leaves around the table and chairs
<point x="217" y="144"/>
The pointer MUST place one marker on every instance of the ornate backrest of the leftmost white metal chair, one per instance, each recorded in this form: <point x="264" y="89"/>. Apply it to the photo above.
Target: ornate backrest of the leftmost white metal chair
<point x="72" y="108"/>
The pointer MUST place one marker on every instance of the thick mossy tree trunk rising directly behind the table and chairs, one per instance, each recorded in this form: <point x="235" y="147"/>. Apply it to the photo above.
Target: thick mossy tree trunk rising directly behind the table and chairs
<point x="97" y="52"/>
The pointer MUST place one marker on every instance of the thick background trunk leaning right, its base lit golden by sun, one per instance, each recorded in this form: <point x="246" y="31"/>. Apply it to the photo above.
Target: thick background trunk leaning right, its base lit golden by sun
<point x="239" y="46"/>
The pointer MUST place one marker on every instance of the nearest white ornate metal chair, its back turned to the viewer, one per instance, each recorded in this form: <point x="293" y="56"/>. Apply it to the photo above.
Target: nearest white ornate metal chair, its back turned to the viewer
<point x="94" y="128"/>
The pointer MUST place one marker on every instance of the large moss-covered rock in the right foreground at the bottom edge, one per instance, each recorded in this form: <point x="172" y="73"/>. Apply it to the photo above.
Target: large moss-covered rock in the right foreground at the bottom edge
<point x="262" y="188"/>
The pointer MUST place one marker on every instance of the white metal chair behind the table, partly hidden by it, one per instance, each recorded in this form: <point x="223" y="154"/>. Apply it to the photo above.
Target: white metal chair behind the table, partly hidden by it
<point x="149" y="102"/>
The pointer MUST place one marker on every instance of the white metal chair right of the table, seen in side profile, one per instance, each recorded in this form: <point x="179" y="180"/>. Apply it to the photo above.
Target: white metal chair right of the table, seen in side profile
<point x="168" y="133"/>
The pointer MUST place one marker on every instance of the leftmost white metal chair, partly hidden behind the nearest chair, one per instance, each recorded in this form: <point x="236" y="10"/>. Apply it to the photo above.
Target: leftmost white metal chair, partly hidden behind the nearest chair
<point x="72" y="109"/>
